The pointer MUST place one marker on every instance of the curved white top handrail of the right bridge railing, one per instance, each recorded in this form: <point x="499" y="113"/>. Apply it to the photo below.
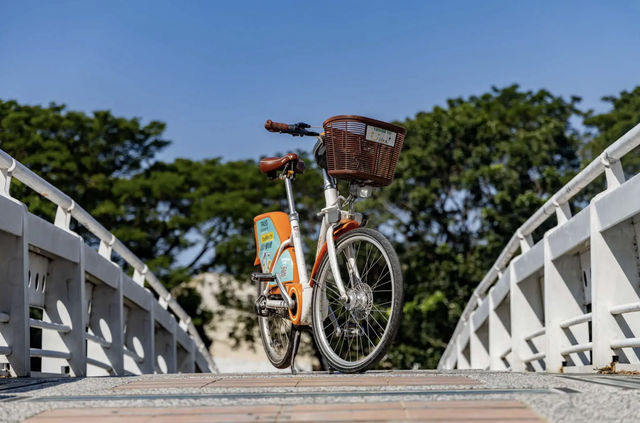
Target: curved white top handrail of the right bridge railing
<point x="611" y="154"/>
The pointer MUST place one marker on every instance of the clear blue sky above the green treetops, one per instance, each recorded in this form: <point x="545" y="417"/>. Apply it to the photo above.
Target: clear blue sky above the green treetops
<point x="215" y="71"/>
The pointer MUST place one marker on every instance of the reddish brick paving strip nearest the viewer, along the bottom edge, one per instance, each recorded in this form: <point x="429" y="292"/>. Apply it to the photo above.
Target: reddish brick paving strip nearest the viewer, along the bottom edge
<point x="497" y="411"/>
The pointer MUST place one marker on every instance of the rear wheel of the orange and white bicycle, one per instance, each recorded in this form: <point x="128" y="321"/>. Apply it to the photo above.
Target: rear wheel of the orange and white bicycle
<point x="276" y="331"/>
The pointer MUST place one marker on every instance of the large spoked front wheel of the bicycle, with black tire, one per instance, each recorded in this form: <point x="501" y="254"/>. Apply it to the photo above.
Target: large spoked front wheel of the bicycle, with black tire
<point x="355" y="335"/>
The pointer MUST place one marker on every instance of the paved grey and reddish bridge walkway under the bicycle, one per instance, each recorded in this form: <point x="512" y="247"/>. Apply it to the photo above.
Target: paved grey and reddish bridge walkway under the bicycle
<point x="375" y="396"/>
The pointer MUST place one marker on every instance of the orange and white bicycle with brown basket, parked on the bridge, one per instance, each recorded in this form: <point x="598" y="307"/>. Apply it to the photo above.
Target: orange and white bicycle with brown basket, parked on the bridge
<point x="352" y="299"/>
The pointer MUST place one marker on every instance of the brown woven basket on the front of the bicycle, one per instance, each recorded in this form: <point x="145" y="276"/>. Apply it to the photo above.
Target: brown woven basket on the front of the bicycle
<point x="362" y="149"/>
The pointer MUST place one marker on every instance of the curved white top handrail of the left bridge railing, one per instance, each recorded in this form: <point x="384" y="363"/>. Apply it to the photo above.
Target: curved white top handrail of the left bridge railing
<point x="14" y="169"/>
